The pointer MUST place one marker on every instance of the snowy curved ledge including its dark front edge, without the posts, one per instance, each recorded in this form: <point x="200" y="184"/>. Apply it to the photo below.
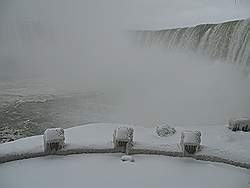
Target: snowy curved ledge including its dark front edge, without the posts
<point x="219" y="144"/>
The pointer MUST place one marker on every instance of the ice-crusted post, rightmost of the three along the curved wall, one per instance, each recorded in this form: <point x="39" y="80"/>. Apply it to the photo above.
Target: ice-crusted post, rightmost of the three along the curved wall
<point x="190" y="142"/>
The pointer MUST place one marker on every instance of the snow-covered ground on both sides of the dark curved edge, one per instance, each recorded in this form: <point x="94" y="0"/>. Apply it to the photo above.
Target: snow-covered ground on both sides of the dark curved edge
<point x="107" y="170"/>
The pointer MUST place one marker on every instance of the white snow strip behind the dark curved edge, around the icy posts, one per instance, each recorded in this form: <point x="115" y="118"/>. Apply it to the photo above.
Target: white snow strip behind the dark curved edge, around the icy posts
<point x="216" y="141"/>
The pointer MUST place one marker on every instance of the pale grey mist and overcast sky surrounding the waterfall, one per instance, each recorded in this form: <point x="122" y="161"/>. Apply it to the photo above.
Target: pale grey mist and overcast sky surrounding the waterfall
<point x="84" y="46"/>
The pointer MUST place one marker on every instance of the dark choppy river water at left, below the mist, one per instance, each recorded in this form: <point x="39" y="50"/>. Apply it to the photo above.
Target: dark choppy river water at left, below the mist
<point x="27" y="109"/>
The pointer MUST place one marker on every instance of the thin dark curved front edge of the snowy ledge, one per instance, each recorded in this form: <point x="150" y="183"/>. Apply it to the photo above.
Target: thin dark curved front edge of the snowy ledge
<point x="13" y="157"/>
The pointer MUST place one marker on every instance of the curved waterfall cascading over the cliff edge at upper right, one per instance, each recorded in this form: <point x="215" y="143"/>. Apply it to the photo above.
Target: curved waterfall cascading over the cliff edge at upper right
<point x="228" y="41"/>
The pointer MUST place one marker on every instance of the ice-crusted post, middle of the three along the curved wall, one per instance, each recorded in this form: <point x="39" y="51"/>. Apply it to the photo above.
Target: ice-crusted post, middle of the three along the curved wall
<point x="123" y="138"/>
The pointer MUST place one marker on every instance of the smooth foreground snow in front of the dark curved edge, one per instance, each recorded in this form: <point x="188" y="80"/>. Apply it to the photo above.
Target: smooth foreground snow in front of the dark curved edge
<point x="107" y="170"/>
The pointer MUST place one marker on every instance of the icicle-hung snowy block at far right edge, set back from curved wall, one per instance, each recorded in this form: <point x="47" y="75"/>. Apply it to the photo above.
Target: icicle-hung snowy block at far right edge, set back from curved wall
<point x="239" y="124"/>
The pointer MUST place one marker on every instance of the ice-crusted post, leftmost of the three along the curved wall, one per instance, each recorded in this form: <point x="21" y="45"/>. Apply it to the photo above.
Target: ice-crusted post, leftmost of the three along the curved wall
<point x="53" y="140"/>
